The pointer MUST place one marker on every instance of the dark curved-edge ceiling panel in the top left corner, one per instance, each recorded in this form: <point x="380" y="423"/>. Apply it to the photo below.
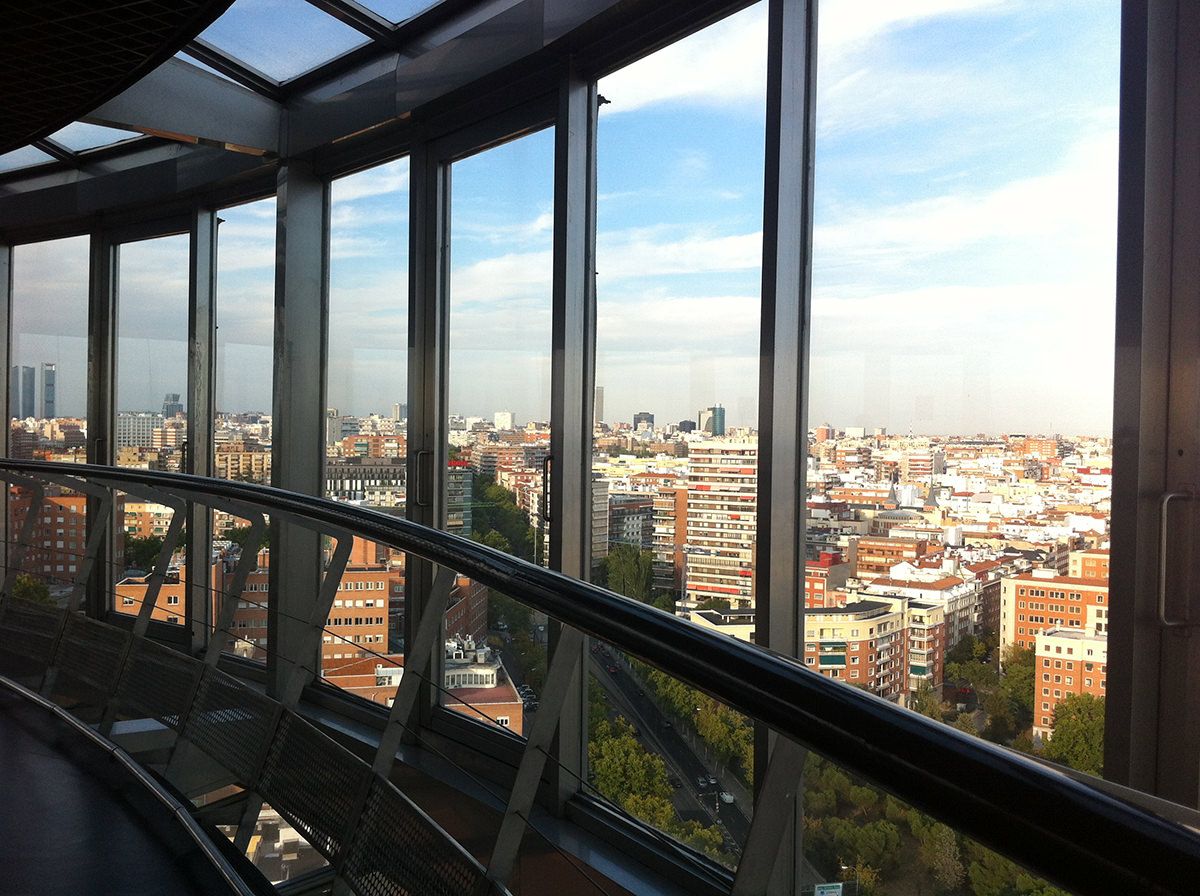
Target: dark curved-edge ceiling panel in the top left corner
<point x="59" y="59"/>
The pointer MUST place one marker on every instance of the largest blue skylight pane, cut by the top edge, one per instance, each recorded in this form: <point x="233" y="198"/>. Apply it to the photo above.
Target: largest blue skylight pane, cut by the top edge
<point x="281" y="39"/>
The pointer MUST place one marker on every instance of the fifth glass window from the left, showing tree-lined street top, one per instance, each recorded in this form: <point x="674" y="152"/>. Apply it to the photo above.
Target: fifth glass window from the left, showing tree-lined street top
<point x="499" y="382"/>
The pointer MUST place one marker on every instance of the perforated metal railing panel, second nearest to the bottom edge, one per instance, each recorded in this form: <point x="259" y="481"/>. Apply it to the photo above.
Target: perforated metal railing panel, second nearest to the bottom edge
<point x="314" y="784"/>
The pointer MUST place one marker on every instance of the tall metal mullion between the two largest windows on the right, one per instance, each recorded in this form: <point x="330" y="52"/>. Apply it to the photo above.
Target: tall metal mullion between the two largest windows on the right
<point x="783" y="405"/>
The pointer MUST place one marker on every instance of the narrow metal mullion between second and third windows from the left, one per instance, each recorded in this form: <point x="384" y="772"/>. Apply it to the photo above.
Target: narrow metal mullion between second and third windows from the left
<point x="201" y="417"/>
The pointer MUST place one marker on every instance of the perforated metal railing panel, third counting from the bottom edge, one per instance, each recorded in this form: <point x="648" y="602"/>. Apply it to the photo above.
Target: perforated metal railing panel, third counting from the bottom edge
<point x="233" y="725"/>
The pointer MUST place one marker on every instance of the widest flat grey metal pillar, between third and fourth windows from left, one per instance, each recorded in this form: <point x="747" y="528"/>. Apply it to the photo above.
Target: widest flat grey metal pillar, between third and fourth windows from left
<point x="298" y="446"/>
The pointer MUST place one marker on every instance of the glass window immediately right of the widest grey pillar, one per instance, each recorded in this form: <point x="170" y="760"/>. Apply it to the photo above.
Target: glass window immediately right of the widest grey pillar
<point x="367" y="422"/>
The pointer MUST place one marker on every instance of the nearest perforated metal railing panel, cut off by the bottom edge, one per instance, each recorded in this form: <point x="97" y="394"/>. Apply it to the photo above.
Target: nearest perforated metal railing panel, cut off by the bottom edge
<point x="398" y="851"/>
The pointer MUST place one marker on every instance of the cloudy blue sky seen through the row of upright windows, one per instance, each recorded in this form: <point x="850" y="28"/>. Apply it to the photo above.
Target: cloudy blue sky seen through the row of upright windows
<point x="963" y="261"/>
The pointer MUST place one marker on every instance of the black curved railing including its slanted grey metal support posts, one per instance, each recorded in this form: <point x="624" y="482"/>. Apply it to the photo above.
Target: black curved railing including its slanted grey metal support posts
<point x="1058" y="827"/>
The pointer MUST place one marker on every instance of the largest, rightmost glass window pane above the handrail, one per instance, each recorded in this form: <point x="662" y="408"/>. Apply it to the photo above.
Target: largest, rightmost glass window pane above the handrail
<point x="964" y="255"/>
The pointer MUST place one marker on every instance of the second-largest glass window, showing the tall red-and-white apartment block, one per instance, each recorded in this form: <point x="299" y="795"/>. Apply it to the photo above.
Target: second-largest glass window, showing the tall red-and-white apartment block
<point x="676" y="453"/>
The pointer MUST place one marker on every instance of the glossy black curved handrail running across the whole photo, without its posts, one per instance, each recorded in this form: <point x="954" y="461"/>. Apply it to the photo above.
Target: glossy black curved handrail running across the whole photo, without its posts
<point x="1055" y="826"/>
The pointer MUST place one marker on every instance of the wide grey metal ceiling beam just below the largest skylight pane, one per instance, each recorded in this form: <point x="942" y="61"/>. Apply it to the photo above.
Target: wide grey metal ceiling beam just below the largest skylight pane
<point x="184" y="103"/>
